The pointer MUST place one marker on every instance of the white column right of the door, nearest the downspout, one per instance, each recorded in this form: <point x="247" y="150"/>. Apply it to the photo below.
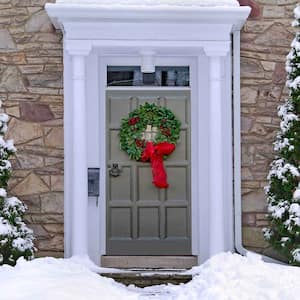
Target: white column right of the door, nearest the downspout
<point x="216" y="172"/>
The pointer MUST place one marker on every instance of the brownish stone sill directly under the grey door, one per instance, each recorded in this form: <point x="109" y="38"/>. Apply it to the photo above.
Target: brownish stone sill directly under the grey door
<point x="148" y="262"/>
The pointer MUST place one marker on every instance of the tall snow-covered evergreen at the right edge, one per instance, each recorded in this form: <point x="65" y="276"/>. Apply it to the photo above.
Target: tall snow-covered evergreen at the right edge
<point x="283" y="191"/>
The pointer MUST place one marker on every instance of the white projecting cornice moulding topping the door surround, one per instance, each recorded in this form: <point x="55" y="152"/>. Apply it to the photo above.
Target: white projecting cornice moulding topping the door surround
<point x="62" y="12"/>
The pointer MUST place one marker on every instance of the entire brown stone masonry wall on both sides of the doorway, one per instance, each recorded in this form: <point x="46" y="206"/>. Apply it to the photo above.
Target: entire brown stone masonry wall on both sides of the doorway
<point x="32" y="92"/>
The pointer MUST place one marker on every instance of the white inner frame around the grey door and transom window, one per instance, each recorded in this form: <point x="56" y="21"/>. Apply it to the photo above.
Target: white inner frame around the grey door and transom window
<point x="165" y="61"/>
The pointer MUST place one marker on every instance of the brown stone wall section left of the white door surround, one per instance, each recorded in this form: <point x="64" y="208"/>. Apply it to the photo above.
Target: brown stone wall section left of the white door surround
<point x="31" y="91"/>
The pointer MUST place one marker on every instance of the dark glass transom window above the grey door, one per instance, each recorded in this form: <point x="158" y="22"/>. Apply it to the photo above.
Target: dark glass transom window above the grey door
<point x="163" y="76"/>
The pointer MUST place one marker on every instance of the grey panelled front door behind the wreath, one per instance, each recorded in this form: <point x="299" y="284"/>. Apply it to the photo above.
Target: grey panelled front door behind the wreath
<point x="142" y="219"/>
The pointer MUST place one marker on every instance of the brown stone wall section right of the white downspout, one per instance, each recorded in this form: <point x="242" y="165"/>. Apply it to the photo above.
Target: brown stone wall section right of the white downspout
<point x="265" y="42"/>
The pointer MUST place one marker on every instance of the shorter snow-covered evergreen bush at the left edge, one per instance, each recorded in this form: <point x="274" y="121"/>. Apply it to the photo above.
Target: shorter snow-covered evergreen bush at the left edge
<point x="16" y="239"/>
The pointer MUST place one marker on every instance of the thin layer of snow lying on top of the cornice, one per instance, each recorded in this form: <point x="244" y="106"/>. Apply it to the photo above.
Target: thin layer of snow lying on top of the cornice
<point x="153" y="3"/>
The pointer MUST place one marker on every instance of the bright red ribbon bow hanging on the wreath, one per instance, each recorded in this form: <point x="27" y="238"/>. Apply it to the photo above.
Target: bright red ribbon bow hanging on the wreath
<point x="156" y="153"/>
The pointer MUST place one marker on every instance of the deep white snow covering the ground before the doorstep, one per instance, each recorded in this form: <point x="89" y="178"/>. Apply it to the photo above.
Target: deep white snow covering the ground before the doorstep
<point x="224" y="277"/>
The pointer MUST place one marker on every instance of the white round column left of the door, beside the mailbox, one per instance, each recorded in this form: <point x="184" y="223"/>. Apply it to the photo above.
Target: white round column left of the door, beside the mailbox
<point x="79" y="187"/>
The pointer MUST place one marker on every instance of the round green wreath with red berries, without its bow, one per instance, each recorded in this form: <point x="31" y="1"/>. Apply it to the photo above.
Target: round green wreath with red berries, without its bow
<point x="133" y="133"/>
